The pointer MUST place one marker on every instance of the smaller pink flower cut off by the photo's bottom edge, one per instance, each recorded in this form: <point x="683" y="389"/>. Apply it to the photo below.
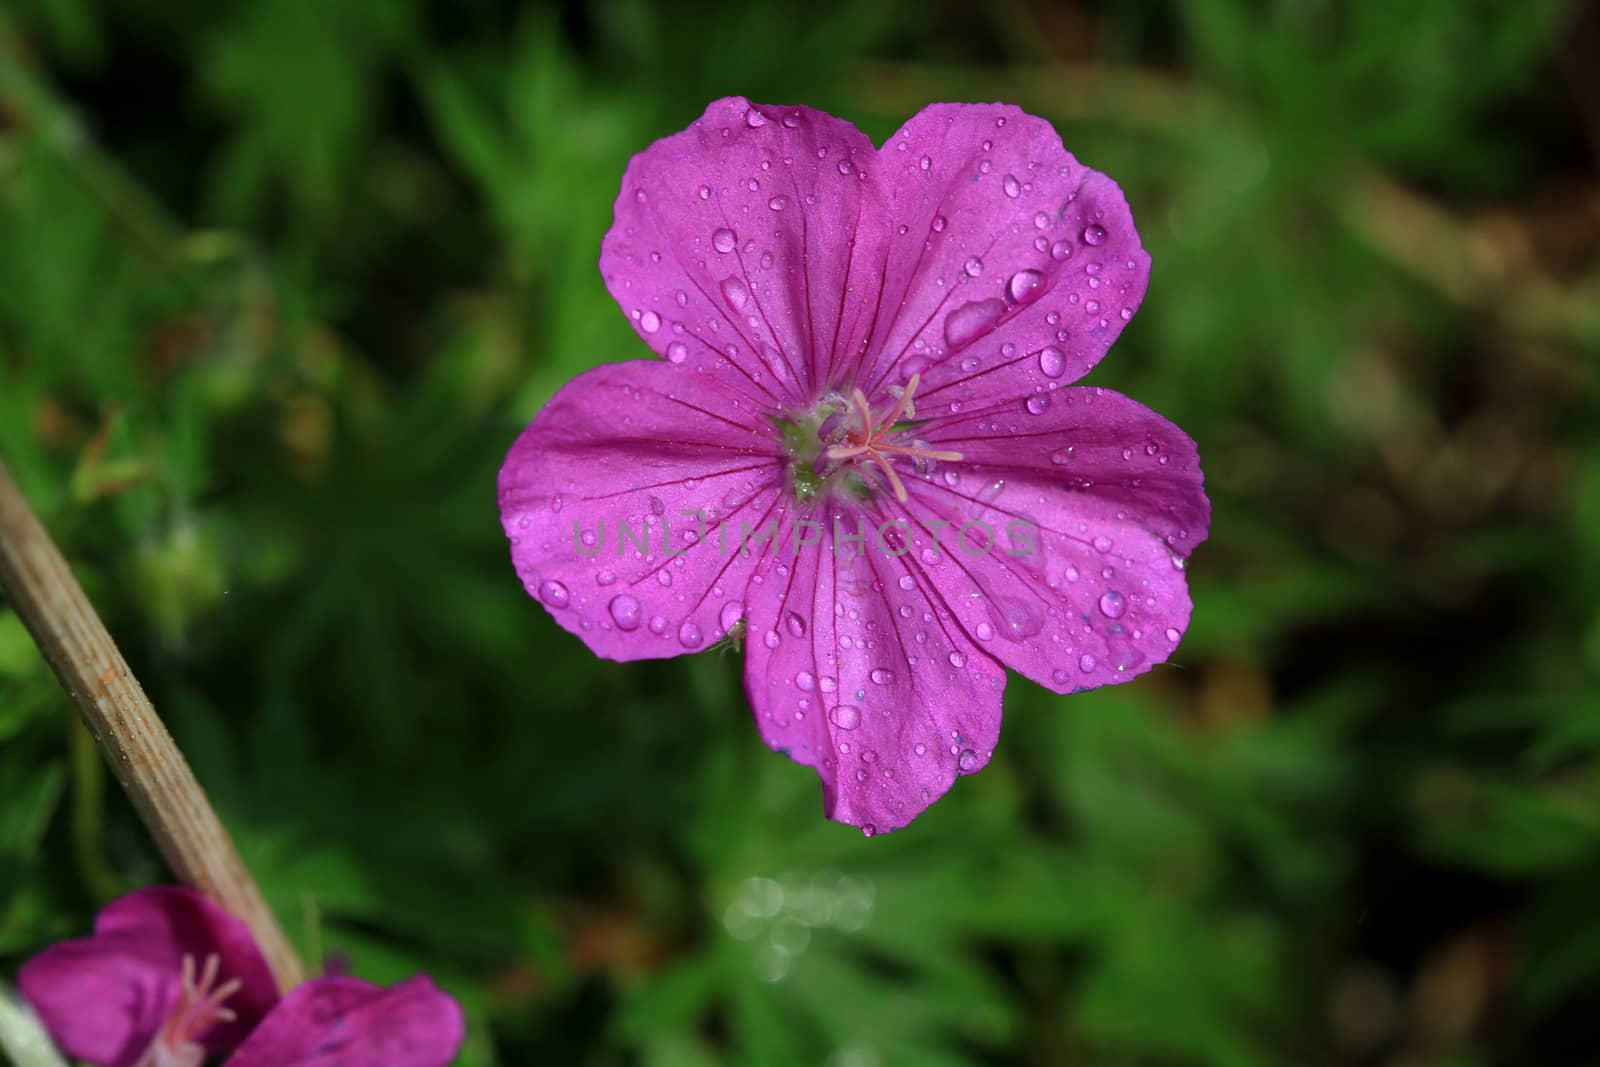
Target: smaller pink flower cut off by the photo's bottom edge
<point x="170" y="978"/>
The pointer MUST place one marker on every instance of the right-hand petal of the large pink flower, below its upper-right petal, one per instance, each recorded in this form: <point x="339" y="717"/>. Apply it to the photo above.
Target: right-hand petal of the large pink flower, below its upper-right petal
<point x="1076" y="529"/>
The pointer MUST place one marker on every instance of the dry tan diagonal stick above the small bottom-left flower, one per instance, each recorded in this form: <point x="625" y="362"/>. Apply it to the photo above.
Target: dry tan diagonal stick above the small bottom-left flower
<point x="130" y="735"/>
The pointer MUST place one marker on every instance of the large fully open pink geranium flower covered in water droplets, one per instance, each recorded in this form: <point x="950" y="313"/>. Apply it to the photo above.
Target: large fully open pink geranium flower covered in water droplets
<point x="862" y="452"/>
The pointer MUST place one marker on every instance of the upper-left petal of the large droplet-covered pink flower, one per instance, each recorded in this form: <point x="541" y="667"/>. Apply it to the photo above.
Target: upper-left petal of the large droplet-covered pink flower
<point x="753" y="244"/>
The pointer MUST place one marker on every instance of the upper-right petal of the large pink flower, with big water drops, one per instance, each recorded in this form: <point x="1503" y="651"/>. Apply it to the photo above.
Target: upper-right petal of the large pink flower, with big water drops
<point x="1012" y="265"/>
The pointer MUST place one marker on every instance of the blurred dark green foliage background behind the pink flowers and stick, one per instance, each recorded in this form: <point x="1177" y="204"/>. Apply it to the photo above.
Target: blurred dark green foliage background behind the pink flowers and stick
<point x="281" y="281"/>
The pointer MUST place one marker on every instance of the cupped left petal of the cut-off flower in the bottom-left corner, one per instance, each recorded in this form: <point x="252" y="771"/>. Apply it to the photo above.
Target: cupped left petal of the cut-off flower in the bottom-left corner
<point x="105" y="997"/>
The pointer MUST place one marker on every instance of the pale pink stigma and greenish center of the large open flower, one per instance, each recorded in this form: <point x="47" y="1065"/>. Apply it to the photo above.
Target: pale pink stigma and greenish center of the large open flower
<point x="854" y="446"/>
